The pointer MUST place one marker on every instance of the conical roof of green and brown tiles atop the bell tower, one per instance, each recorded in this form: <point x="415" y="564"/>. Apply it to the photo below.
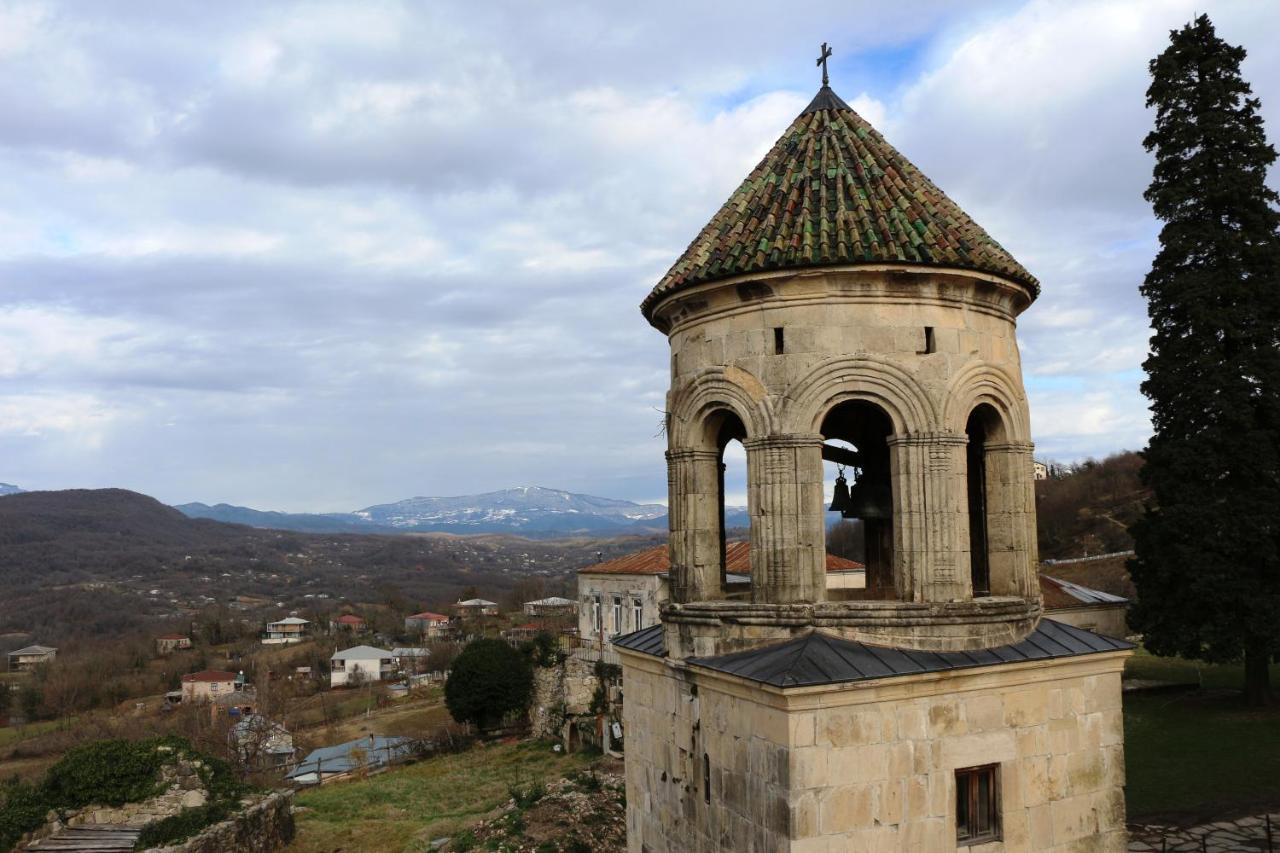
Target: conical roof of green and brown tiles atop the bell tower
<point x="834" y="193"/>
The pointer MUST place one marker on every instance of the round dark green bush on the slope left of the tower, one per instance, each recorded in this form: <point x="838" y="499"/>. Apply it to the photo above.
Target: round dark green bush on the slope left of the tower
<point x="490" y="681"/>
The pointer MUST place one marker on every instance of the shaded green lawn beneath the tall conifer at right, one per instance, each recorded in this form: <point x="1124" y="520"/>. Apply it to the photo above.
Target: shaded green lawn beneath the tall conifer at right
<point x="1199" y="755"/>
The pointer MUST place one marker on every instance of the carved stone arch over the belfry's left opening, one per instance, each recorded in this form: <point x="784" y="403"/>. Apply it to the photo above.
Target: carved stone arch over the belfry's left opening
<point x="714" y="390"/>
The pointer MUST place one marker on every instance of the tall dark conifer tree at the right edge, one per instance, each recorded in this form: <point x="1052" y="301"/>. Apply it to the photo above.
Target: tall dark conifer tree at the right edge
<point x="1208" y="565"/>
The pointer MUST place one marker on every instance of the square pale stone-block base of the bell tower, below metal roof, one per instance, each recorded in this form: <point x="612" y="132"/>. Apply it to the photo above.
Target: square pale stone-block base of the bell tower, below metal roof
<point x="872" y="767"/>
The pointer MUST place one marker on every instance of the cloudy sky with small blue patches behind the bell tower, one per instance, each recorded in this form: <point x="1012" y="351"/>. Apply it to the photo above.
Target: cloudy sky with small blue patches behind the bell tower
<point x="316" y="257"/>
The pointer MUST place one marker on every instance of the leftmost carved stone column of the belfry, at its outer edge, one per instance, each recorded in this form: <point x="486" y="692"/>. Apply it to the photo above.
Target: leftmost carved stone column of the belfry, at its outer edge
<point x="693" y="491"/>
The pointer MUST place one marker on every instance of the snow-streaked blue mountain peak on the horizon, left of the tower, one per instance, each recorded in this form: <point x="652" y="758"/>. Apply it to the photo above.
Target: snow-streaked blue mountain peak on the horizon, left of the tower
<point x="529" y="508"/>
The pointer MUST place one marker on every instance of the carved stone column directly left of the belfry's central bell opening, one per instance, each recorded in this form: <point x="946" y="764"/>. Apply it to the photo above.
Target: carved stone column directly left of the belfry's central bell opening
<point x="788" y="519"/>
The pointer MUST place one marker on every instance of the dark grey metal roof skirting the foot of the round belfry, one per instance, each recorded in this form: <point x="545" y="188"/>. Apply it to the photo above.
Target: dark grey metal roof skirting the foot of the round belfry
<point x="821" y="659"/>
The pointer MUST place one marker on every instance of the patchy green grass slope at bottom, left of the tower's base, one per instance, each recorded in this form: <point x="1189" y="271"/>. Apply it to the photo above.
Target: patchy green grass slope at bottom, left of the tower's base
<point x="405" y="809"/>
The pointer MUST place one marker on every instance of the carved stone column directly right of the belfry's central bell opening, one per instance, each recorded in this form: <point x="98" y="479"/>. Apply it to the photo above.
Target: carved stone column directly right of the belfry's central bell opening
<point x="931" y="533"/>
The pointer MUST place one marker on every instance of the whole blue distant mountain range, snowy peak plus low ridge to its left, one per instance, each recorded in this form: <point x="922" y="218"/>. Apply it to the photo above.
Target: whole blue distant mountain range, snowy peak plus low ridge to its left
<point x="528" y="512"/>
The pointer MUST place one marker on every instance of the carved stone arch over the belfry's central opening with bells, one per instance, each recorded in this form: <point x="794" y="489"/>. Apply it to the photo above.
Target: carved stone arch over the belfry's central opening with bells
<point x="848" y="378"/>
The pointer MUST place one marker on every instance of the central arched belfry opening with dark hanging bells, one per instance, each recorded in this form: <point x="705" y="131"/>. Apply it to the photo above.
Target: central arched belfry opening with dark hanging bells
<point x="856" y="446"/>
